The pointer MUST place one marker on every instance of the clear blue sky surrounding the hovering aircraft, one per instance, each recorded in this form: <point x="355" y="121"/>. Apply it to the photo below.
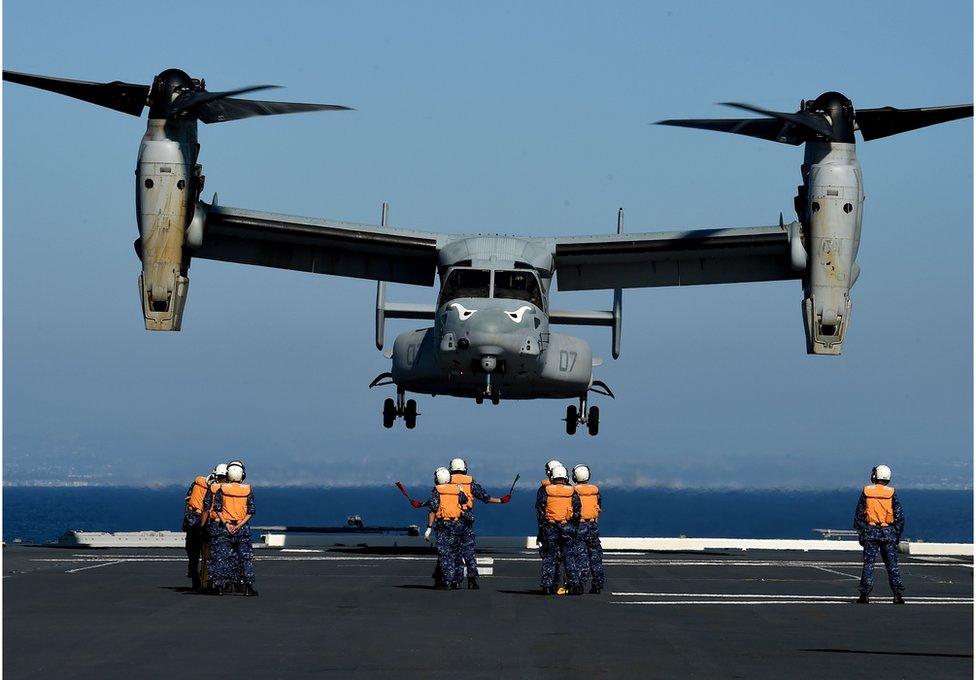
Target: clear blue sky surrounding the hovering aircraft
<point x="493" y="117"/>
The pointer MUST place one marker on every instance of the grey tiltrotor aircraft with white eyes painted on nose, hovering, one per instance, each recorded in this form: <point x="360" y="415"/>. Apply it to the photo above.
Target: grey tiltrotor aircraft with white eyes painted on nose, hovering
<point x="492" y="334"/>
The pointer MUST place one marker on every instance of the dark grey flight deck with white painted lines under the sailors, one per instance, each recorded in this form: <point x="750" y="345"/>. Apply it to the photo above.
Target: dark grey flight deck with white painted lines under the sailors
<point x="70" y="613"/>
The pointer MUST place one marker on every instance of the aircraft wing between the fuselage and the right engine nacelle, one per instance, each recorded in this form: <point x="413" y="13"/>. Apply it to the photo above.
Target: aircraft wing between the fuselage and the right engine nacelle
<point x="677" y="258"/>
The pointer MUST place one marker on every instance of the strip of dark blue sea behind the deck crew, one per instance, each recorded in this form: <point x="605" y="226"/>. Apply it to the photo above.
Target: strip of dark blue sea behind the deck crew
<point x="42" y="514"/>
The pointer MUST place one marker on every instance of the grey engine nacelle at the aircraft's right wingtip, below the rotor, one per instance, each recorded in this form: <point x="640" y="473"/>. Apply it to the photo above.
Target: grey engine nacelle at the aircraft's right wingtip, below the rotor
<point x="834" y="218"/>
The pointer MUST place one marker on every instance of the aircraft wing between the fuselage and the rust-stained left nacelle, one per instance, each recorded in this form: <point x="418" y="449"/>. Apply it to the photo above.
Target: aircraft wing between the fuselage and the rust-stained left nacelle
<point x="318" y="246"/>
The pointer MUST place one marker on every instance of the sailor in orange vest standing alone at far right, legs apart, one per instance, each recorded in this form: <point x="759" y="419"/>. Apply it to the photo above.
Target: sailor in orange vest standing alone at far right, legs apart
<point x="879" y="522"/>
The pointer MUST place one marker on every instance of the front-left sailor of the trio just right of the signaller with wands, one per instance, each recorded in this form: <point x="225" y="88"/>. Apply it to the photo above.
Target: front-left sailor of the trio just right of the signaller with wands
<point x="558" y="515"/>
